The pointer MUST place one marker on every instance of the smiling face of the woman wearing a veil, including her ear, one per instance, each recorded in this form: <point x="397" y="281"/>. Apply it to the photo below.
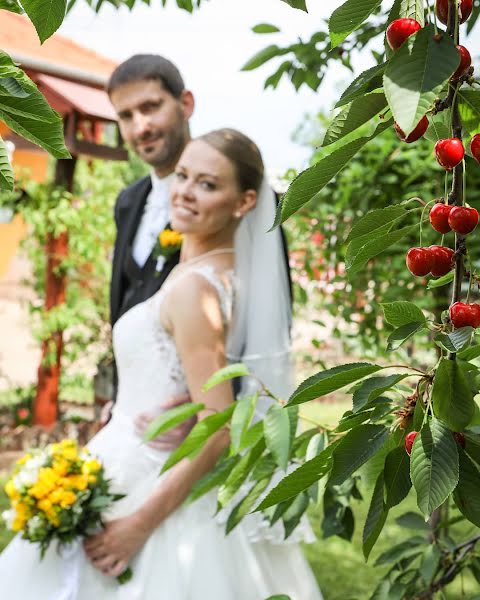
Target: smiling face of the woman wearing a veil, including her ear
<point x="205" y="196"/>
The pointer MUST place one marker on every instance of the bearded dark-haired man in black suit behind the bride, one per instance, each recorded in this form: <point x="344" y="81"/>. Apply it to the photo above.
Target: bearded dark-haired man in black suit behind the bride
<point x="153" y="107"/>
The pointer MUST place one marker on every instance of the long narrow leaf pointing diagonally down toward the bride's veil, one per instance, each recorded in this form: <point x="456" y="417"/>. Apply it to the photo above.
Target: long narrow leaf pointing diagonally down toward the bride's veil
<point x="308" y="185"/>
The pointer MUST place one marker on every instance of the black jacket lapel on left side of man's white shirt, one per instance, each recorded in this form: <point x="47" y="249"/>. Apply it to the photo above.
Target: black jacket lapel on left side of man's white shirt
<point x="128" y="212"/>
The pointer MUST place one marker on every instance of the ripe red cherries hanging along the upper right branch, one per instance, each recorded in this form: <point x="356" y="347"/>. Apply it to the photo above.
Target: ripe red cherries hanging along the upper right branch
<point x="444" y="217"/>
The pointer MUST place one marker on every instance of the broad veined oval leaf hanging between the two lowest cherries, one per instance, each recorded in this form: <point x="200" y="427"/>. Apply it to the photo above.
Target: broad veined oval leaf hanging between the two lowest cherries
<point x="434" y="466"/>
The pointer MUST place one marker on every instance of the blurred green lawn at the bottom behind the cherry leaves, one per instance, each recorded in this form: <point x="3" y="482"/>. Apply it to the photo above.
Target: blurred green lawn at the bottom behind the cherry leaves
<point x="339" y="565"/>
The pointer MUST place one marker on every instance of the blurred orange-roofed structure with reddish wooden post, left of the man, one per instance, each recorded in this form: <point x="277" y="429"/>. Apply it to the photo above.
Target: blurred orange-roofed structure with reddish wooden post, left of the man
<point x="72" y="79"/>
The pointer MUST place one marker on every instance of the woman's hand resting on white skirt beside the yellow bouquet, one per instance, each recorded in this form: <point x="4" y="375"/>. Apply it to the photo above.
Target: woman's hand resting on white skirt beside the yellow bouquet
<point x="111" y="550"/>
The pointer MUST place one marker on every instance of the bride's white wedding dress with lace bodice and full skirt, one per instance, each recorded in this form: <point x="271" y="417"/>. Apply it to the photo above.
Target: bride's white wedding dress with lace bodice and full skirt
<point x="188" y="557"/>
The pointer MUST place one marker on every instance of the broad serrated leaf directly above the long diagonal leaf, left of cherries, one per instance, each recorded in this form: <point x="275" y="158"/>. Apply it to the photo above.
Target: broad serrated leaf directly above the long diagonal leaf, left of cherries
<point x="359" y="112"/>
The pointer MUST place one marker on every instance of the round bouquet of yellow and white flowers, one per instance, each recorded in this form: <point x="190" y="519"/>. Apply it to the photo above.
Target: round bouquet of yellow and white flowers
<point x="58" y="493"/>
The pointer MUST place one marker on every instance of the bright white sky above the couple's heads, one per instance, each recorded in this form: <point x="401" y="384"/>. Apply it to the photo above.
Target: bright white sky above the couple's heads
<point x="210" y="46"/>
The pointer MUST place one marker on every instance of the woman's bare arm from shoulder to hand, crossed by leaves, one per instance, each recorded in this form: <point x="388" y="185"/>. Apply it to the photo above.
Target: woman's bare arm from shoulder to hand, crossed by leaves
<point x="195" y="320"/>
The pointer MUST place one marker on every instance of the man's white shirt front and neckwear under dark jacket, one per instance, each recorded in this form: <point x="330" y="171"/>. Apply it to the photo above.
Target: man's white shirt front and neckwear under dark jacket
<point x="155" y="217"/>
